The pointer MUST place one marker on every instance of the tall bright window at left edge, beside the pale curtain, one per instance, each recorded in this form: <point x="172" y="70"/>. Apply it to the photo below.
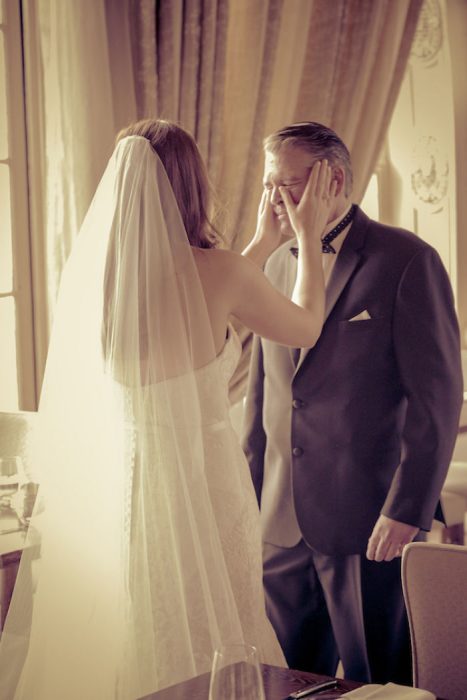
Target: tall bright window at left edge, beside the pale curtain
<point x="16" y="325"/>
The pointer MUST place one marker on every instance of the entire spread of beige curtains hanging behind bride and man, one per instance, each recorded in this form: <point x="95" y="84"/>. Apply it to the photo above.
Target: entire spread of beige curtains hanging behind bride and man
<point x="230" y="71"/>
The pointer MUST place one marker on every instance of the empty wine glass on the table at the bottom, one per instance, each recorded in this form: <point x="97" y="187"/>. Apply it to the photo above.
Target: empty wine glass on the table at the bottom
<point x="236" y="674"/>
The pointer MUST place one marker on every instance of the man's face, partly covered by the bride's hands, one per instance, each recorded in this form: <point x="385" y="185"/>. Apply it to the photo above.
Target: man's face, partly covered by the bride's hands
<point x="290" y="167"/>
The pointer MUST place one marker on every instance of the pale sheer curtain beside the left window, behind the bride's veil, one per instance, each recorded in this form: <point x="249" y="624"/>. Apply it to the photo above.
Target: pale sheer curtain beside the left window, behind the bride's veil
<point x="79" y="89"/>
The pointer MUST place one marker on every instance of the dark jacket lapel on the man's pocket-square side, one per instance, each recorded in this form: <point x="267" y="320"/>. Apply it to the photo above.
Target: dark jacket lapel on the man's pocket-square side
<point x="347" y="261"/>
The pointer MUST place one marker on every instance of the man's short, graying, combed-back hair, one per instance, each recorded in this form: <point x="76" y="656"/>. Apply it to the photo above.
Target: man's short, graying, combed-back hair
<point x="319" y="140"/>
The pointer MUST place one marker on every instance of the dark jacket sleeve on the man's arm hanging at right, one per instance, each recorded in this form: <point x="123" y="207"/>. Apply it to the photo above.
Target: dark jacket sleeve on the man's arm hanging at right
<point x="427" y="349"/>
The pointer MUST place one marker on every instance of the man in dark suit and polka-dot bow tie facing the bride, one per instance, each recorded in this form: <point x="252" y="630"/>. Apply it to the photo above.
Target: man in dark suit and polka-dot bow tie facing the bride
<point x="349" y="442"/>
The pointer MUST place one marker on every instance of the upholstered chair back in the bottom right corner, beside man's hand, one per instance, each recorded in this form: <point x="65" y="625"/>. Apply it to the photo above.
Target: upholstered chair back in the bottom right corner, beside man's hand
<point x="434" y="581"/>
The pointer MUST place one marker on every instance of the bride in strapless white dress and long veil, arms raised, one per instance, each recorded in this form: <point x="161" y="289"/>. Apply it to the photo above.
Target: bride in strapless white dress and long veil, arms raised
<point x="144" y="551"/>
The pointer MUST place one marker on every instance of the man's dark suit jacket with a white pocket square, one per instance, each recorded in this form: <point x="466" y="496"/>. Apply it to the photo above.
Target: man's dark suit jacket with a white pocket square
<point x="367" y="422"/>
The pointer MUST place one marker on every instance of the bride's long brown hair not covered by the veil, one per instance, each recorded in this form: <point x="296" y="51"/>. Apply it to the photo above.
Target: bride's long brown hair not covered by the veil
<point x="187" y="174"/>
